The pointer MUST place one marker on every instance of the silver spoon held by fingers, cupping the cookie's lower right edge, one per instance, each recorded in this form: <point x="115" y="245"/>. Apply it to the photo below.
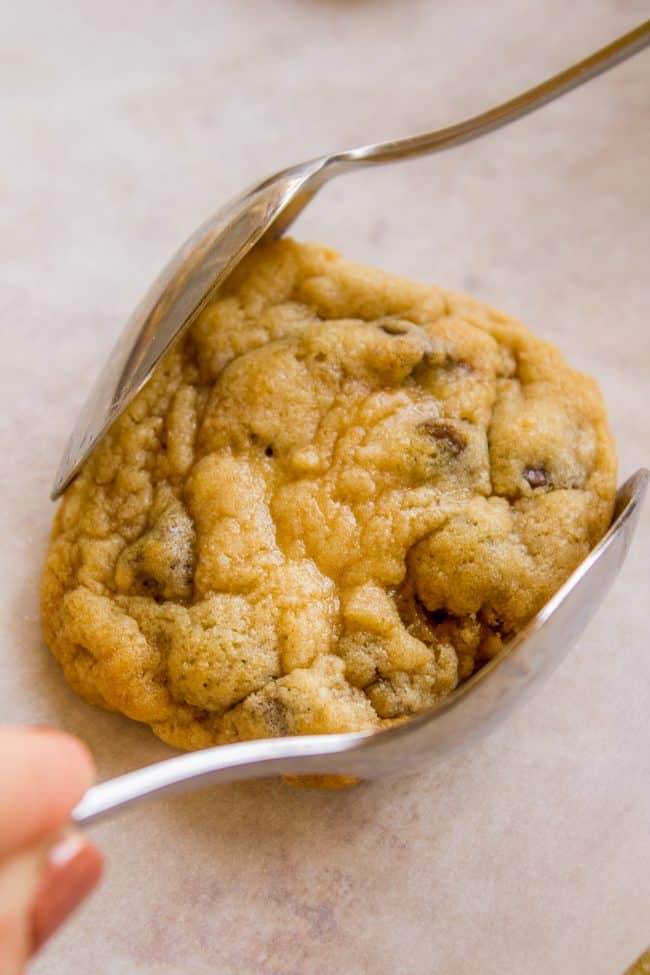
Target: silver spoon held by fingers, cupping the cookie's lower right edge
<point x="470" y="711"/>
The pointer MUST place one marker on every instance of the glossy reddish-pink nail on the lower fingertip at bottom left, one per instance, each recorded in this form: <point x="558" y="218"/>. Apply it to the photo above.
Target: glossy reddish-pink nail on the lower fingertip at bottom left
<point x="73" y="867"/>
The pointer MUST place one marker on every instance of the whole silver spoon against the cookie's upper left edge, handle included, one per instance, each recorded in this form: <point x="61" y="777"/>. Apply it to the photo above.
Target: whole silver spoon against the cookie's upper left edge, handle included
<point x="205" y="260"/>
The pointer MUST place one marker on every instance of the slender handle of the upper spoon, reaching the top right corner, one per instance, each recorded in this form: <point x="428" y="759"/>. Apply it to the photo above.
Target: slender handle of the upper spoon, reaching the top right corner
<point x="494" y="118"/>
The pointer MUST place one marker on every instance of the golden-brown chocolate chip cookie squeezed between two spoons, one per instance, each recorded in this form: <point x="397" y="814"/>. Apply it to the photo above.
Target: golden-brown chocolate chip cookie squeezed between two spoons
<point x="335" y="499"/>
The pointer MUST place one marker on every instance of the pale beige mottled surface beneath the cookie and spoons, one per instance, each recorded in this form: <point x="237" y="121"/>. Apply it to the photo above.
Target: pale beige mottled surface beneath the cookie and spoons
<point x="123" y="125"/>
